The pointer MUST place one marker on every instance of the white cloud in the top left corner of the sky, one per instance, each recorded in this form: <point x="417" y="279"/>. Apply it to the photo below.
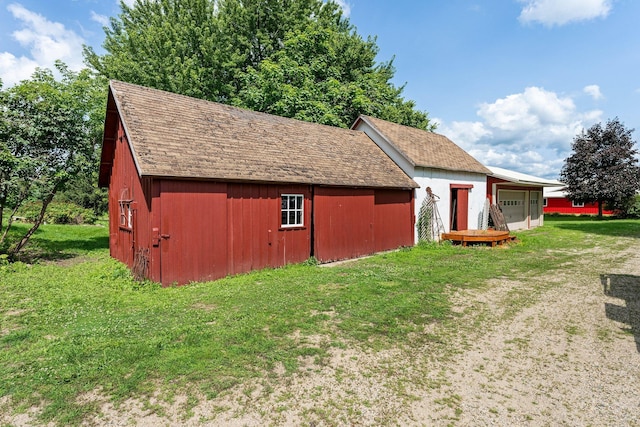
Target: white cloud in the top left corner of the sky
<point x="46" y="42"/>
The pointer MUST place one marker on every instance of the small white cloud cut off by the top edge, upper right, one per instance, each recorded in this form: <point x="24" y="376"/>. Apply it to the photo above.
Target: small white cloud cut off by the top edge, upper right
<point x="561" y="12"/>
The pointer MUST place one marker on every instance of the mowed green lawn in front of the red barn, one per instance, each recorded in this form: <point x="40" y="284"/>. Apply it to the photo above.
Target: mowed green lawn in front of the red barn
<point x="73" y="321"/>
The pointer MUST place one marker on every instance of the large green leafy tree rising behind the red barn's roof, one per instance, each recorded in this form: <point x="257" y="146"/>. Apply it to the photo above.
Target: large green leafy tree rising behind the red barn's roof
<point x="294" y="58"/>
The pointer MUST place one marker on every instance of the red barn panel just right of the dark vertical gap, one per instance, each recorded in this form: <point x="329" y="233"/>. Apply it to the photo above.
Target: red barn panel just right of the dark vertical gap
<point x="343" y="223"/>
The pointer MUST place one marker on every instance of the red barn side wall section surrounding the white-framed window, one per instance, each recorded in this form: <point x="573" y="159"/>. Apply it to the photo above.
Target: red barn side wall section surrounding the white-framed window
<point x="207" y="230"/>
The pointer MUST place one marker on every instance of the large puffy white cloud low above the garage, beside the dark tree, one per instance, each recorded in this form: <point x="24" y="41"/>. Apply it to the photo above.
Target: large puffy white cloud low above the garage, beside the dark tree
<point x="530" y="132"/>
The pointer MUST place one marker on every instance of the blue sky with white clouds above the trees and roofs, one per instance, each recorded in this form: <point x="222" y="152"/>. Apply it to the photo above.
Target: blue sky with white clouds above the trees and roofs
<point x="510" y="81"/>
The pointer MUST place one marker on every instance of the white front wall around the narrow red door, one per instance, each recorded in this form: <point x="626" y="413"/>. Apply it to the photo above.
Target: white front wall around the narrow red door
<point x="439" y="181"/>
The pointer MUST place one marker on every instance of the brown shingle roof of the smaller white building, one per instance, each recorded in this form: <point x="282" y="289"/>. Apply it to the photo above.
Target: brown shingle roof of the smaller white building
<point x="426" y="149"/>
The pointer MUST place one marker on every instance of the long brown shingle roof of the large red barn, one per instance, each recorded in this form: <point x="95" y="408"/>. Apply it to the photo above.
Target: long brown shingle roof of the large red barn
<point x="177" y="136"/>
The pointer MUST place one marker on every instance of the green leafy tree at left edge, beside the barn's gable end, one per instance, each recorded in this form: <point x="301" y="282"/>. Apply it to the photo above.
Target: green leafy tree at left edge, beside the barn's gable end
<point x="50" y="133"/>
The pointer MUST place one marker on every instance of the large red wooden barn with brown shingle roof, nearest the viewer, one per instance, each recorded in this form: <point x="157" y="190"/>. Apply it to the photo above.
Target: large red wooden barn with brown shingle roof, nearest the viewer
<point x="200" y="190"/>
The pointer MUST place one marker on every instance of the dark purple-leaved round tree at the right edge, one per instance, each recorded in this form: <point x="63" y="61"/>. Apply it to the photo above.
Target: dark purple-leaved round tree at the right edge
<point x="603" y="167"/>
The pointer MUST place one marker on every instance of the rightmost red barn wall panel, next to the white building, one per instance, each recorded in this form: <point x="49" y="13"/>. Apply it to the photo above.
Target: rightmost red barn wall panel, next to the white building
<point x="393" y="219"/>
